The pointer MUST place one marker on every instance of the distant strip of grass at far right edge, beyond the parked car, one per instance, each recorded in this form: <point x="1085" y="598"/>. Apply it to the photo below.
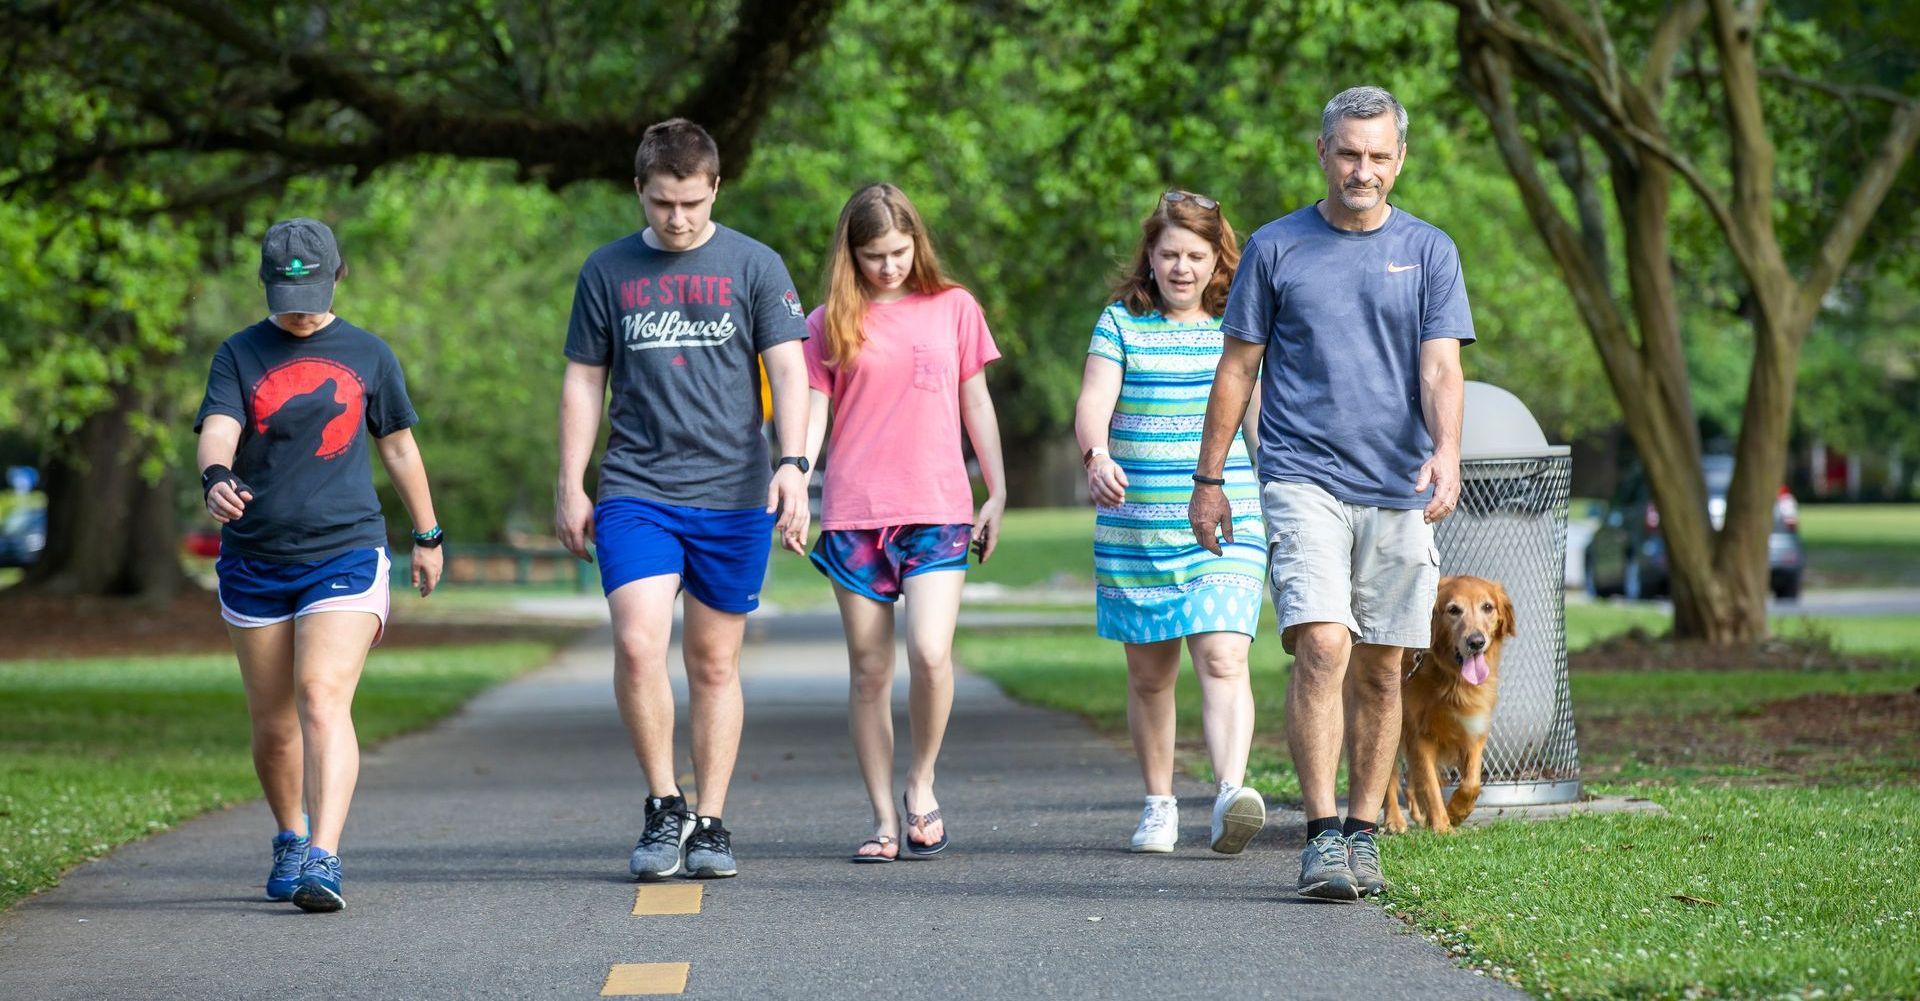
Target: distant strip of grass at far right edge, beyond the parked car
<point x="1861" y="545"/>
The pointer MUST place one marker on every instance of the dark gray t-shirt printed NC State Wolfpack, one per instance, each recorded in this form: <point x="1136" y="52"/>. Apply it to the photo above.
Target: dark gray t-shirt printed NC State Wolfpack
<point x="683" y="335"/>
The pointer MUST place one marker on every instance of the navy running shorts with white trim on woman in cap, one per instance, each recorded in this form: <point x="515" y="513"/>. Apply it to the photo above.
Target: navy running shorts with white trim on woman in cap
<point x="260" y="593"/>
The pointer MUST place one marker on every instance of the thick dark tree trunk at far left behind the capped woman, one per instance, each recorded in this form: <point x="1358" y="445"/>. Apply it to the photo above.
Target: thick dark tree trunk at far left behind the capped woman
<point x="108" y="529"/>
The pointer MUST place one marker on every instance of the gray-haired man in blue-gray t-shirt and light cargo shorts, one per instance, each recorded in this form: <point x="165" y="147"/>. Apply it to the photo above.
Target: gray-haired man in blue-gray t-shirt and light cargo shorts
<point x="1355" y="312"/>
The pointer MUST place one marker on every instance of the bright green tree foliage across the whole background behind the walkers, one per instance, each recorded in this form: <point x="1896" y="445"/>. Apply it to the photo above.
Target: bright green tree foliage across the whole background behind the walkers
<point x="1032" y="135"/>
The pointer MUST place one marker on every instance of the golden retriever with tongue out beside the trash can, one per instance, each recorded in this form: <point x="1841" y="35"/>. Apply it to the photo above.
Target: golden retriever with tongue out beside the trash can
<point x="1447" y="702"/>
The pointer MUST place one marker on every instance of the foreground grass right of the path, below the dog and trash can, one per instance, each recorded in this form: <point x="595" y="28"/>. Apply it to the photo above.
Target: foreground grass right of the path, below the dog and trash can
<point x="1813" y="894"/>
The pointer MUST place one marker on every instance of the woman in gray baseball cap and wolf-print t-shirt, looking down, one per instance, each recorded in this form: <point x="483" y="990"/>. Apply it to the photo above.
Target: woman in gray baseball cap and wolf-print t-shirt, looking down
<point x="291" y="406"/>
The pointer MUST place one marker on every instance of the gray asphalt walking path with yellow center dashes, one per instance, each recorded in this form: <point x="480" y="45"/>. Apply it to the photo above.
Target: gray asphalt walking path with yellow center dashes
<point x="489" y="860"/>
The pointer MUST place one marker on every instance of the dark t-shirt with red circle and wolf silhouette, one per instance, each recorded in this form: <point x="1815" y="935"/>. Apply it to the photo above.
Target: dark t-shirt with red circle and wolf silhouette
<point x="306" y="408"/>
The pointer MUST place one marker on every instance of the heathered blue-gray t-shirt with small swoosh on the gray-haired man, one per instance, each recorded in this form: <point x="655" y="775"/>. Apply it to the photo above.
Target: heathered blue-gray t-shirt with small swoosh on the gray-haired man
<point x="1343" y="318"/>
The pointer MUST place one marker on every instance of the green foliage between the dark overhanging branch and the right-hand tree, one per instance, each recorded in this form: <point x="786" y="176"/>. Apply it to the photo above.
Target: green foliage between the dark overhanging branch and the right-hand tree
<point x="1038" y="135"/>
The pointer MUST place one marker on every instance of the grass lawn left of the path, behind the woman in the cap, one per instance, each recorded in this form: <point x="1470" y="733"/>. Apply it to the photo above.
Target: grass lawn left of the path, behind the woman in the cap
<point x="99" y="752"/>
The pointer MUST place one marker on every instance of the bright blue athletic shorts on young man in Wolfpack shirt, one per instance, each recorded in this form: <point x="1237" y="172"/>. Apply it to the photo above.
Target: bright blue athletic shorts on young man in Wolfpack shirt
<point x="721" y="556"/>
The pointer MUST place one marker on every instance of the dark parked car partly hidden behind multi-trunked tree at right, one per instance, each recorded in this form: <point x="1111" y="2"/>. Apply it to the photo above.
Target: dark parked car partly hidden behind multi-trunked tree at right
<point x="1627" y="554"/>
